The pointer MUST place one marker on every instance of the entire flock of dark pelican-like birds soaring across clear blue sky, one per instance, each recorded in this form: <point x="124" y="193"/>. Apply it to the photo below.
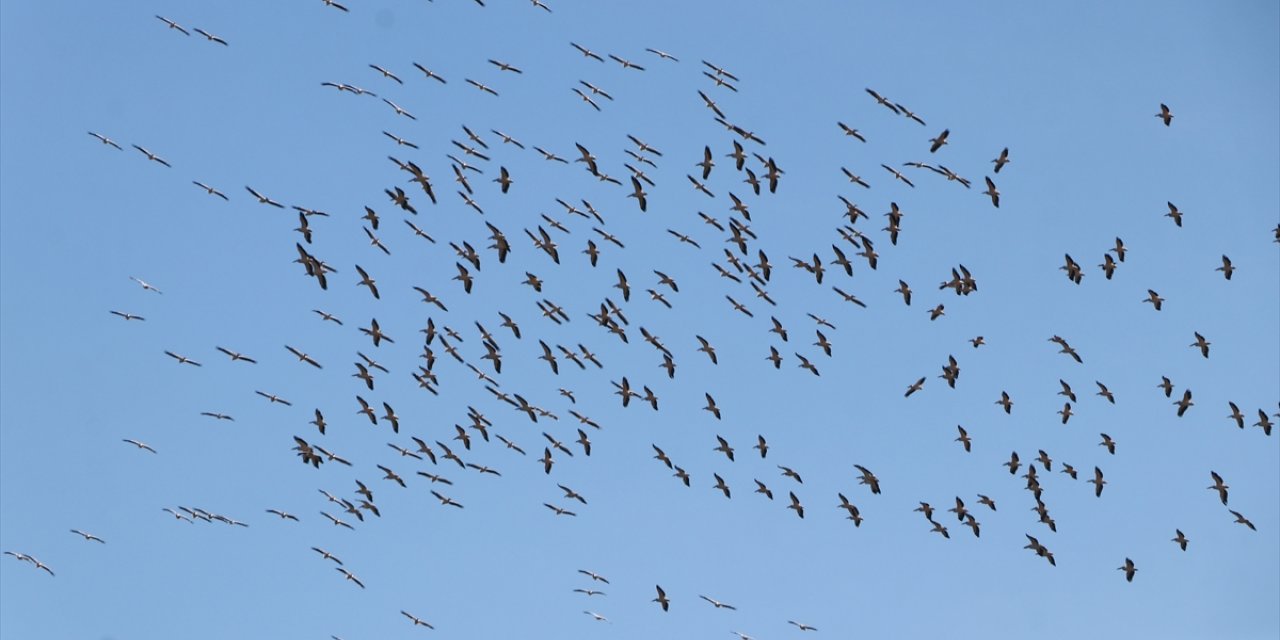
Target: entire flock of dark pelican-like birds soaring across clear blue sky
<point x="744" y="267"/>
